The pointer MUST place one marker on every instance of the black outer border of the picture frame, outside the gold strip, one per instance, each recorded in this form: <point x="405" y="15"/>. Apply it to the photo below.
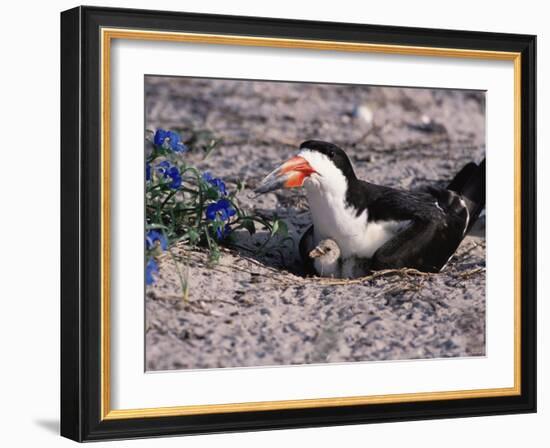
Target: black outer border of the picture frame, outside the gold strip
<point x="81" y="223"/>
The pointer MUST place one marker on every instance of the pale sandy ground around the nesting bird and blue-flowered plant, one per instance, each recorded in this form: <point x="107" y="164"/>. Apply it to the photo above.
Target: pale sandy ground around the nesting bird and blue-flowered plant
<point x="258" y="309"/>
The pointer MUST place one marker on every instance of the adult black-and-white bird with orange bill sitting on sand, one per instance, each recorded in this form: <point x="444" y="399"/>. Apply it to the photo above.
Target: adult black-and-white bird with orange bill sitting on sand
<point x="390" y="228"/>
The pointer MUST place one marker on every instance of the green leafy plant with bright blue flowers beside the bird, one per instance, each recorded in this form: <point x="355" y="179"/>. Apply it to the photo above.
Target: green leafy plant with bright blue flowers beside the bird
<point x="185" y="205"/>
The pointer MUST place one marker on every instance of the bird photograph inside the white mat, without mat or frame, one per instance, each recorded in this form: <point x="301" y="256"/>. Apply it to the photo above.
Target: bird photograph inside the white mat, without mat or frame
<point x="298" y="223"/>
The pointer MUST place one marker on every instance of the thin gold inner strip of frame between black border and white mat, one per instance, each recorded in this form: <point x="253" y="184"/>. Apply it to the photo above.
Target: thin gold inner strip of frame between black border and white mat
<point x="107" y="35"/>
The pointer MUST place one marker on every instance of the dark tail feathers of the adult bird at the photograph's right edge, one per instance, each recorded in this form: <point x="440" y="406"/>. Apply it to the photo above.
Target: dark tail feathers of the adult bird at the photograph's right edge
<point x="470" y="184"/>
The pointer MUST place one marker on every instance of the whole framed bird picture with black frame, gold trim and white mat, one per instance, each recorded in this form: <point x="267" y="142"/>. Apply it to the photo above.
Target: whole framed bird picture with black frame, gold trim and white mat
<point x="275" y="224"/>
